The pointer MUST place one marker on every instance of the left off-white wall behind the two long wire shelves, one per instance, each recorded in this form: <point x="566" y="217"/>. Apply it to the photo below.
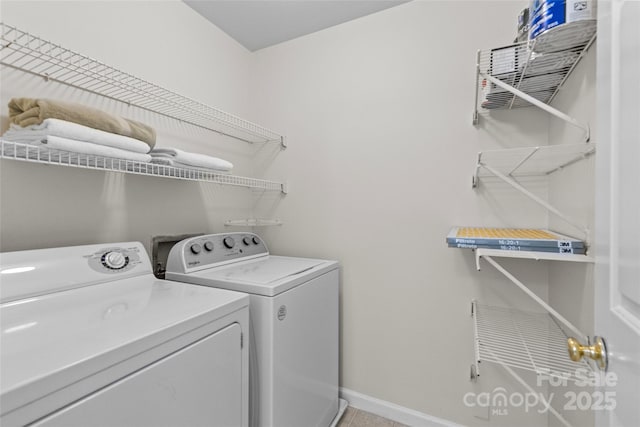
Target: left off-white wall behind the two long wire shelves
<point x="167" y="43"/>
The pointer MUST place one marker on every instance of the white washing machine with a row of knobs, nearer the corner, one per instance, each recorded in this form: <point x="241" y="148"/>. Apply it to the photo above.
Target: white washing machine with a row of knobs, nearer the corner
<point x="294" y="321"/>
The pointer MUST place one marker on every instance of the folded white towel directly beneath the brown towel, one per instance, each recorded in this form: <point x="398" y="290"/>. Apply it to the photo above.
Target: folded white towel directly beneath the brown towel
<point x="64" y="129"/>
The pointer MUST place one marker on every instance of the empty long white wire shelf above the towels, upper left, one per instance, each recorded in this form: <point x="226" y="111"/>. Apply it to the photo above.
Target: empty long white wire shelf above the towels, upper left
<point x="32" y="54"/>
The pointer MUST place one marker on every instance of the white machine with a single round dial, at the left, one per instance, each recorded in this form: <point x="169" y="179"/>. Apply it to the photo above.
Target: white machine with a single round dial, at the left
<point x="91" y="338"/>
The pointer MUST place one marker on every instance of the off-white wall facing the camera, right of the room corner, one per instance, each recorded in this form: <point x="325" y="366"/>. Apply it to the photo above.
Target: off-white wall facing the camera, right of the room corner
<point x="378" y="113"/>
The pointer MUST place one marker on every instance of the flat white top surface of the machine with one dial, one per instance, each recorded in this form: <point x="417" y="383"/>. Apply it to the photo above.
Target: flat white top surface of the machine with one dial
<point x="54" y="340"/>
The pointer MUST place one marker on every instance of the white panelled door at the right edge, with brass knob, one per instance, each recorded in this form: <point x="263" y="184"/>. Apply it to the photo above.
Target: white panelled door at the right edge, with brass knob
<point x="617" y="304"/>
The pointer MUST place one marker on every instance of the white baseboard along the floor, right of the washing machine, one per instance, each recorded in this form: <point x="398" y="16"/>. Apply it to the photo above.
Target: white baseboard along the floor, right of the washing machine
<point x="392" y="411"/>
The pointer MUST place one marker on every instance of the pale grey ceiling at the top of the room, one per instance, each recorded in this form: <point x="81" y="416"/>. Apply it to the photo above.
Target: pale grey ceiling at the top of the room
<point x="257" y="24"/>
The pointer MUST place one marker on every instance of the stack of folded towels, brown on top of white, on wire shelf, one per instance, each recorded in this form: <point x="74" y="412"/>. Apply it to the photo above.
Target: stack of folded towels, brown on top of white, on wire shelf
<point x="77" y="128"/>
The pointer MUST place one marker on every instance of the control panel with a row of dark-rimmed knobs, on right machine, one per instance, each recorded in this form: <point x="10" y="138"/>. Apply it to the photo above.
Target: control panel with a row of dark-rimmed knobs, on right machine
<point x="215" y="249"/>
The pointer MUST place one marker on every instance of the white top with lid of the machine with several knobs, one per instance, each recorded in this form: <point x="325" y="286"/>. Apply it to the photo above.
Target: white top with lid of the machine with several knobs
<point x="268" y="276"/>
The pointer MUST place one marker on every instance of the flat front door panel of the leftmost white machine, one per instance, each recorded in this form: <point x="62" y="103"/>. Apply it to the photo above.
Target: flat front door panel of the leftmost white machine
<point x="196" y="386"/>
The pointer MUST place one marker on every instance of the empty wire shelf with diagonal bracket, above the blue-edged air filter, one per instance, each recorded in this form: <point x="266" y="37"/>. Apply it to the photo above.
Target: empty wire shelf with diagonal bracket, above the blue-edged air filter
<point x="508" y="164"/>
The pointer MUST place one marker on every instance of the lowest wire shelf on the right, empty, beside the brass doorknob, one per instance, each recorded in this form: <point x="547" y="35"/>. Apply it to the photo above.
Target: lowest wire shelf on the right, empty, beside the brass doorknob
<point x="526" y="340"/>
